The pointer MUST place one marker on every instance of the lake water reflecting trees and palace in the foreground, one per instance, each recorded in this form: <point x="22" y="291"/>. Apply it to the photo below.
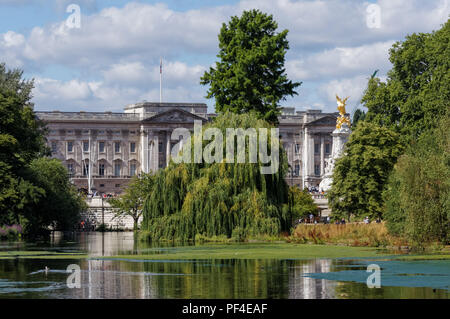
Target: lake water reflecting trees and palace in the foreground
<point x="101" y="277"/>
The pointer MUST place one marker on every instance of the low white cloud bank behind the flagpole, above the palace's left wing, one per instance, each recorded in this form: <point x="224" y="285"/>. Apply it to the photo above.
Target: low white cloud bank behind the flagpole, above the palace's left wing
<point x="121" y="84"/>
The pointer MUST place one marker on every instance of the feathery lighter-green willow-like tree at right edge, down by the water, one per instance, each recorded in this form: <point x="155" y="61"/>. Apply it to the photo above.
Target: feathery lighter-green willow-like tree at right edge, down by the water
<point x="418" y="193"/>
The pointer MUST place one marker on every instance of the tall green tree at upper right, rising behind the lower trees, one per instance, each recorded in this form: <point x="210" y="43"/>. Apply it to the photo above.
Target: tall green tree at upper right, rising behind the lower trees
<point x="417" y="91"/>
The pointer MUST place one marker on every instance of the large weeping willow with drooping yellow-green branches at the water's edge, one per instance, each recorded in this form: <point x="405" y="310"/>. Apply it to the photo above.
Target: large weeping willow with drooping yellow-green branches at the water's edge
<point x="223" y="198"/>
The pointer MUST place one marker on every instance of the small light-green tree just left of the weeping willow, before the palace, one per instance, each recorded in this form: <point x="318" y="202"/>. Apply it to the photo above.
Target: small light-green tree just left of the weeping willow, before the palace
<point x="131" y="202"/>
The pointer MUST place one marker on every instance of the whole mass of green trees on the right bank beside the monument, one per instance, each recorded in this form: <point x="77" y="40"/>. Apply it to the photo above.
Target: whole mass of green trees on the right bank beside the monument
<point x="397" y="163"/>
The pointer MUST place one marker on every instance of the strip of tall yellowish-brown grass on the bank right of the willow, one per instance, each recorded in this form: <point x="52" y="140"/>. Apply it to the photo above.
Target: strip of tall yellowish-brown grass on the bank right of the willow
<point x="354" y="234"/>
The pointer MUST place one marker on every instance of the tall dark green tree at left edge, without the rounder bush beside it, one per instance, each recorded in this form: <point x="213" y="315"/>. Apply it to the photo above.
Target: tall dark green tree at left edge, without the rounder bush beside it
<point x="21" y="141"/>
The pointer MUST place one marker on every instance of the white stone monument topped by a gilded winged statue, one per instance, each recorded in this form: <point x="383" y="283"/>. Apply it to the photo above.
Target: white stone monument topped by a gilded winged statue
<point x="340" y="137"/>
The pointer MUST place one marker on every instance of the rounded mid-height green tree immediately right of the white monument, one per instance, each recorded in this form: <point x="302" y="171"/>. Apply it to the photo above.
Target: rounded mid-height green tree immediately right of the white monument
<point x="359" y="176"/>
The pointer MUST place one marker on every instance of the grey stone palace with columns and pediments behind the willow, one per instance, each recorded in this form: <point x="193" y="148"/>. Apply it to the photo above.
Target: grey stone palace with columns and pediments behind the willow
<point x="103" y="150"/>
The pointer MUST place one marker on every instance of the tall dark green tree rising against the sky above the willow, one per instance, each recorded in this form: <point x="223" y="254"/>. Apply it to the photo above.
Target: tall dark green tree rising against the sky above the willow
<point x="250" y="74"/>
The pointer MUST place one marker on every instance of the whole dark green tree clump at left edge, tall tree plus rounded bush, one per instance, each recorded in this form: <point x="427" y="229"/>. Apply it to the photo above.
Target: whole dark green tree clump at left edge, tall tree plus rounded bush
<point x="34" y="191"/>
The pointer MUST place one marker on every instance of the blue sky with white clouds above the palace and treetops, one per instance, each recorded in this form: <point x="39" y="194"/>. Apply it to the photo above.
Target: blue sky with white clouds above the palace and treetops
<point x="112" y="57"/>
